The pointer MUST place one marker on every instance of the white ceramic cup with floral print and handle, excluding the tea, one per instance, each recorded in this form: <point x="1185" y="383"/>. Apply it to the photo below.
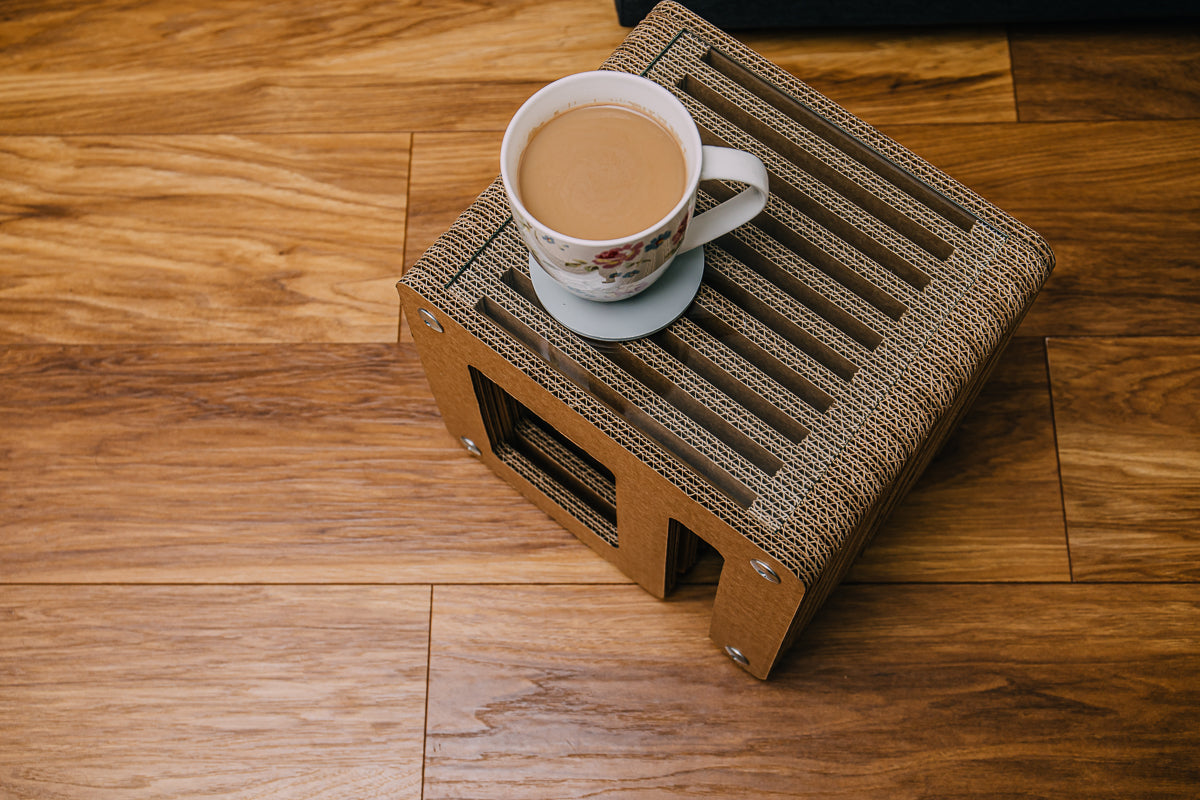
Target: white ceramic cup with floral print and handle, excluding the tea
<point x="615" y="269"/>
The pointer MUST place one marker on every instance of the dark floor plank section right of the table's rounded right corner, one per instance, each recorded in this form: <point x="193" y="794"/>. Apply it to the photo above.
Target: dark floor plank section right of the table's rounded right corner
<point x="1119" y="203"/>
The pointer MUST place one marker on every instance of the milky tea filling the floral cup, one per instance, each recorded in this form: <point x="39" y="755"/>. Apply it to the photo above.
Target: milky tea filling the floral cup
<point x="602" y="172"/>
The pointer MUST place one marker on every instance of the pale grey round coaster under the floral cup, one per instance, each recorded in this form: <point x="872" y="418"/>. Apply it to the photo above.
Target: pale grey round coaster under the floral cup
<point x="645" y="314"/>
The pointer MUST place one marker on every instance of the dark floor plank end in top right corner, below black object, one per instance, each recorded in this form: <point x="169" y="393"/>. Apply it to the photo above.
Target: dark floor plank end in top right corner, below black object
<point x="1107" y="71"/>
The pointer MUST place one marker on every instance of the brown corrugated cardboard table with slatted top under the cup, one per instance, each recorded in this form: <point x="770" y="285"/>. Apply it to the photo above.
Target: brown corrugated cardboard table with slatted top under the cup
<point x="832" y="347"/>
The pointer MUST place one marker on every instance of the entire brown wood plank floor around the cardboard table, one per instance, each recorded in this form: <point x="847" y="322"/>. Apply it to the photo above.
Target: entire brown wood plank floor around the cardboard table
<point x="241" y="557"/>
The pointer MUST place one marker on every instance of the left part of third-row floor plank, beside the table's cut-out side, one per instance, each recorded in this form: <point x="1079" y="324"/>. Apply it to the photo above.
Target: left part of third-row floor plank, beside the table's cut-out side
<point x="253" y="464"/>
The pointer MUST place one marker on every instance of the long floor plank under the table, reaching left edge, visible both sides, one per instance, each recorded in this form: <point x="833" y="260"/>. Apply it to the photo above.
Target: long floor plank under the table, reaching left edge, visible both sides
<point x="209" y="464"/>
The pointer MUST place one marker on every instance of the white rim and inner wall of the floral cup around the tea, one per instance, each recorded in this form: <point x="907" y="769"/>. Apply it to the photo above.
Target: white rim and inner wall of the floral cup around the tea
<point x="693" y="146"/>
